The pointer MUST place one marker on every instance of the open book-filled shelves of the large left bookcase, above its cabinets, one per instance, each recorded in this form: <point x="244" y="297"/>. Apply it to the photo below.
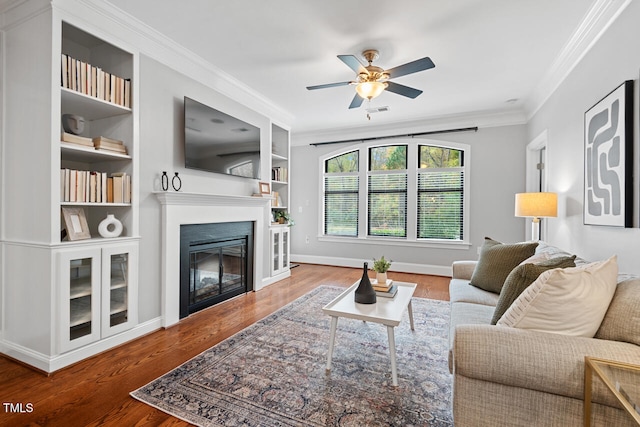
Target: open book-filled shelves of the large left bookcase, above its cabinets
<point x="97" y="168"/>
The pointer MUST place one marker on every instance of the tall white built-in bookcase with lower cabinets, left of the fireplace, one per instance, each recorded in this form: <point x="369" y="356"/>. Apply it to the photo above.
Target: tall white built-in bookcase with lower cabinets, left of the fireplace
<point x="65" y="300"/>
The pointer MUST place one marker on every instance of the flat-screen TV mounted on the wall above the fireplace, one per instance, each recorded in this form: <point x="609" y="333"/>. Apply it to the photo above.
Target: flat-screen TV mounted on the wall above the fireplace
<point x="217" y="142"/>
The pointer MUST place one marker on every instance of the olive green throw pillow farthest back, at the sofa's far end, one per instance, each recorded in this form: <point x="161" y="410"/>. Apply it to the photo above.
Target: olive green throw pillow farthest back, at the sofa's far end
<point x="496" y="262"/>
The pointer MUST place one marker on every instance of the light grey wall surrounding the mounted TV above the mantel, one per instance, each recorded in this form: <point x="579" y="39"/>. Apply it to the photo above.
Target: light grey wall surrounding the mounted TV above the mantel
<point x="162" y="92"/>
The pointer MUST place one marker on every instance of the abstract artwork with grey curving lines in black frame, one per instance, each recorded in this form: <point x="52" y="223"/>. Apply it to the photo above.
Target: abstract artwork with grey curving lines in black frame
<point x="608" y="159"/>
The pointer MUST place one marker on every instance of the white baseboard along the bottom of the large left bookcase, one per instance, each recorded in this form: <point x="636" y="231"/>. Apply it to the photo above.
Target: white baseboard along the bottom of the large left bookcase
<point x="49" y="364"/>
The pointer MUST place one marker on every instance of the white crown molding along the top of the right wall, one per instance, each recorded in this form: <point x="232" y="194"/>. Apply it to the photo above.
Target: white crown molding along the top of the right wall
<point x="596" y="21"/>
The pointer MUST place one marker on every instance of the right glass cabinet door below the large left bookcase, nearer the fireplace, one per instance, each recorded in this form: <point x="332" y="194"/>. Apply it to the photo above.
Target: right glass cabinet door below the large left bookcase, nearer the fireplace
<point x="119" y="280"/>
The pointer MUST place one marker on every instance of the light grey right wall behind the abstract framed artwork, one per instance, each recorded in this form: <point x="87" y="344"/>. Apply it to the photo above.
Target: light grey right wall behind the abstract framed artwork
<point x="612" y="60"/>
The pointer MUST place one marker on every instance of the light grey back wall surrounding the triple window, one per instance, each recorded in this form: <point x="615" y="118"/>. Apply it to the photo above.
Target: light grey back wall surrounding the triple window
<point x="497" y="173"/>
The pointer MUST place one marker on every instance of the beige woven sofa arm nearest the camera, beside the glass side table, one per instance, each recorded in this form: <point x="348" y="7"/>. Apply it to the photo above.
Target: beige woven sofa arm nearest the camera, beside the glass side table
<point x="545" y="362"/>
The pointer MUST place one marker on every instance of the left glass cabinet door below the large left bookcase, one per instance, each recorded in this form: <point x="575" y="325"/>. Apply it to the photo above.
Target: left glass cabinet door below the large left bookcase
<point x="79" y="278"/>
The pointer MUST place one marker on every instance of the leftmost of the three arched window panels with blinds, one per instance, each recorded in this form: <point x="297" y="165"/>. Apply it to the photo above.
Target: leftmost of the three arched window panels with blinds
<point x="341" y="195"/>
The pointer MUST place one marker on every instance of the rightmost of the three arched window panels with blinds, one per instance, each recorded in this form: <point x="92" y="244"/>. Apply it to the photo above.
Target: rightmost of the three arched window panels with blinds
<point x="440" y="193"/>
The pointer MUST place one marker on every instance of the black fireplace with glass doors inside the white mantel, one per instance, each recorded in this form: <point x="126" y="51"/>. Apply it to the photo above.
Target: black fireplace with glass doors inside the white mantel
<point x="216" y="263"/>
